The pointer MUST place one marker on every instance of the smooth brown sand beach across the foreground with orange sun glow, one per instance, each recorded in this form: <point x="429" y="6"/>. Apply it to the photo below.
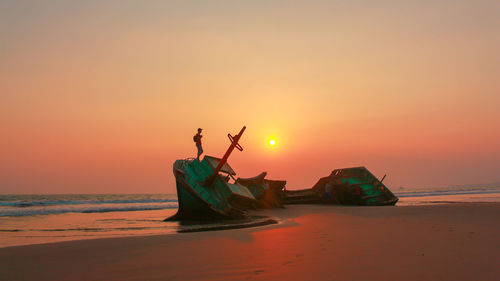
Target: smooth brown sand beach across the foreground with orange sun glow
<point x="441" y="242"/>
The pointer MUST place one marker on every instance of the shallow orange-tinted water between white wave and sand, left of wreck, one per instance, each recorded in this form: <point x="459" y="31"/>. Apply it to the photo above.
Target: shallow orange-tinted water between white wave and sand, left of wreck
<point x="23" y="230"/>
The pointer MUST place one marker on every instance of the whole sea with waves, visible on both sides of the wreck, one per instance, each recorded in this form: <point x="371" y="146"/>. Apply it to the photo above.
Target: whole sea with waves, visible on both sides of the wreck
<point x="35" y="219"/>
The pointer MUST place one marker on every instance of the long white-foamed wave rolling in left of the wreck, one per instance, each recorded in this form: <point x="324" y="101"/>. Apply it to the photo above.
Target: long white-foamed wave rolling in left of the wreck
<point x="31" y="211"/>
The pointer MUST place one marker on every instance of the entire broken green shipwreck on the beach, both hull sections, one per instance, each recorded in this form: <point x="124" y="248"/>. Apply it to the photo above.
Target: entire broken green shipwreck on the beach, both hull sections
<point x="209" y="189"/>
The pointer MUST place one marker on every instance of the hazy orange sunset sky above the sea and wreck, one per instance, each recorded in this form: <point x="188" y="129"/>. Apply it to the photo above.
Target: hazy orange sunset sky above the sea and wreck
<point x="103" y="96"/>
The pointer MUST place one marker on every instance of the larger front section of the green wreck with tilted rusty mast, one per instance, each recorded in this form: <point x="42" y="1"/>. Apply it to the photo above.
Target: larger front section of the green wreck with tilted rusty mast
<point x="208" y="189"/>
